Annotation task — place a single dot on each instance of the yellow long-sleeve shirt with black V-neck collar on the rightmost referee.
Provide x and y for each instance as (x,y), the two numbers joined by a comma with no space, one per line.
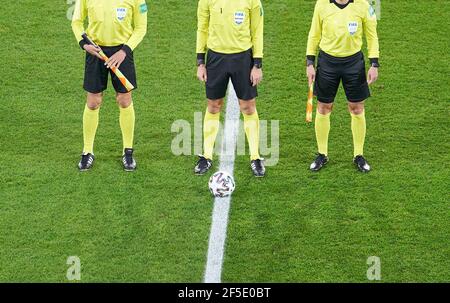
(339,31)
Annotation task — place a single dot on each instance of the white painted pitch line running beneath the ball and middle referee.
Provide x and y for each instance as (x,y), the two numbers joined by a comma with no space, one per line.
(218,234)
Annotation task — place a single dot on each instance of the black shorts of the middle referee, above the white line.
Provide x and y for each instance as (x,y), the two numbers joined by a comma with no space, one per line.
(221,67)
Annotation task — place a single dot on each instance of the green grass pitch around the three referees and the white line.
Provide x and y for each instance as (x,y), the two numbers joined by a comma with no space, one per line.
(153,225)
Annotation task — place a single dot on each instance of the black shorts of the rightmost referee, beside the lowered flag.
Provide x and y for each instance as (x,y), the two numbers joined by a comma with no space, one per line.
(330,71)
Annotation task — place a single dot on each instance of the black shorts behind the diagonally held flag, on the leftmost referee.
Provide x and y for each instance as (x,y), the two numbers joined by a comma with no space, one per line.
(96,73)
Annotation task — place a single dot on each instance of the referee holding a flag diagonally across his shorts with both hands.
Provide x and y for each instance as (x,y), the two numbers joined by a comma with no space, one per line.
(117,26)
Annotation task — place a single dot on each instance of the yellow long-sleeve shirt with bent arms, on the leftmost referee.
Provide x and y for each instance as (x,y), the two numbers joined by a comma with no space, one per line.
(111,22)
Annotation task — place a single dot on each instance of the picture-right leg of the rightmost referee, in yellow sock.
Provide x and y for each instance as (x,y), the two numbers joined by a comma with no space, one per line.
(356,110)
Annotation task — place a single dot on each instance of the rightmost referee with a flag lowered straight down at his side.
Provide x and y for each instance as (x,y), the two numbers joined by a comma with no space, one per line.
(337,29)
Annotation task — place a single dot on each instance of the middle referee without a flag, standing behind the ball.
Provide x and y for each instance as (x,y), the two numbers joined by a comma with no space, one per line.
(230,46)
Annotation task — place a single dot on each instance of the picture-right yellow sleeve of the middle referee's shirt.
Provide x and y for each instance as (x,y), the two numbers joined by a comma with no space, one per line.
(257,28)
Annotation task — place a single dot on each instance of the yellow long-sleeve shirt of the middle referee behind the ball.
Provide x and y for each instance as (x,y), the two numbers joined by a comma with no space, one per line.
(230,26)
